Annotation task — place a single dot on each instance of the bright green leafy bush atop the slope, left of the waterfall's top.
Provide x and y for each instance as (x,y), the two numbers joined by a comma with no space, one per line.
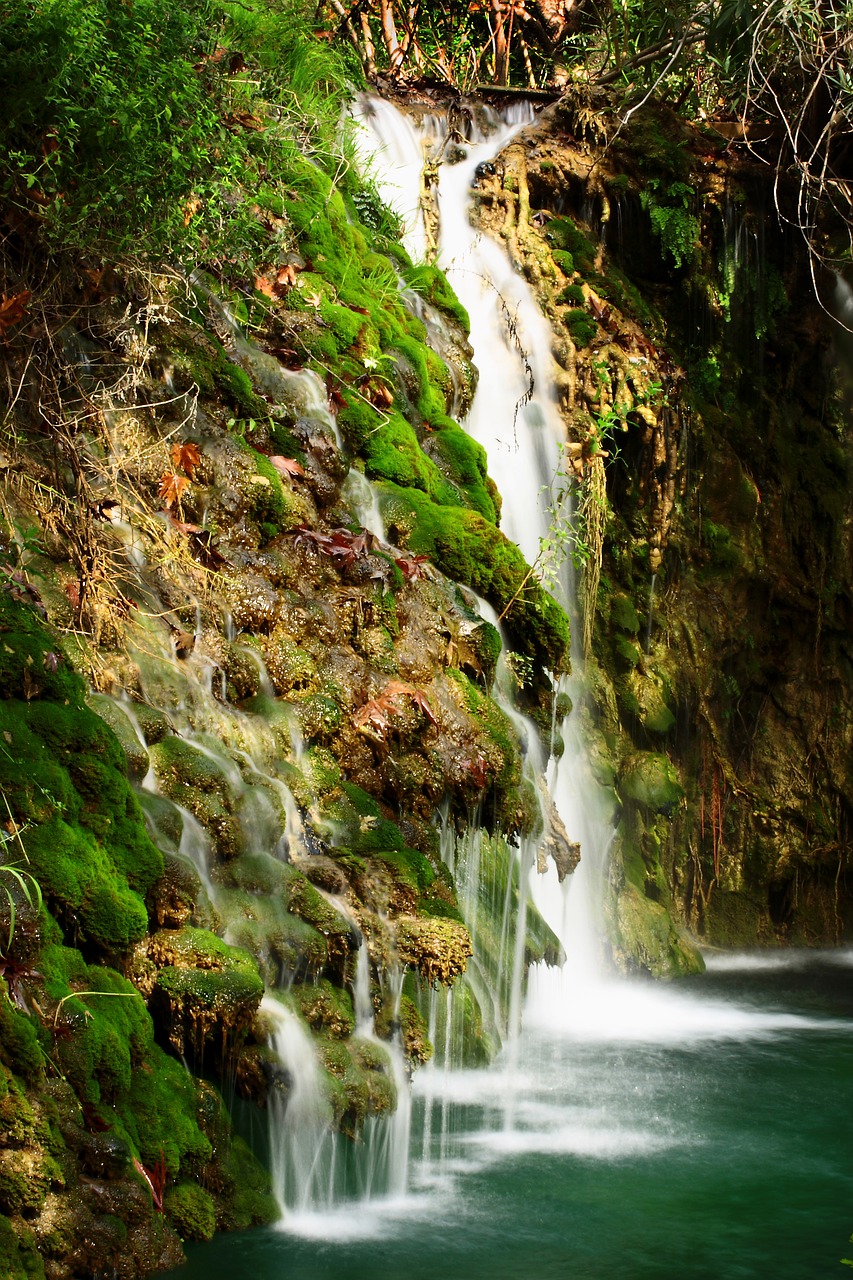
(136,130)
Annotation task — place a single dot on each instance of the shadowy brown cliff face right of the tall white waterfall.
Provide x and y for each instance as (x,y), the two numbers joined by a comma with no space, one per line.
(704,390)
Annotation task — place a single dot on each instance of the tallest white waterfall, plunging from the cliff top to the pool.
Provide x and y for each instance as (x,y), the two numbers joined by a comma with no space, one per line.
(517,418)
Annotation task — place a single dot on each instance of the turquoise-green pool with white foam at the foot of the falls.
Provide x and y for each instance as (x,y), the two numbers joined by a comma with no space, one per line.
(710,1137)
